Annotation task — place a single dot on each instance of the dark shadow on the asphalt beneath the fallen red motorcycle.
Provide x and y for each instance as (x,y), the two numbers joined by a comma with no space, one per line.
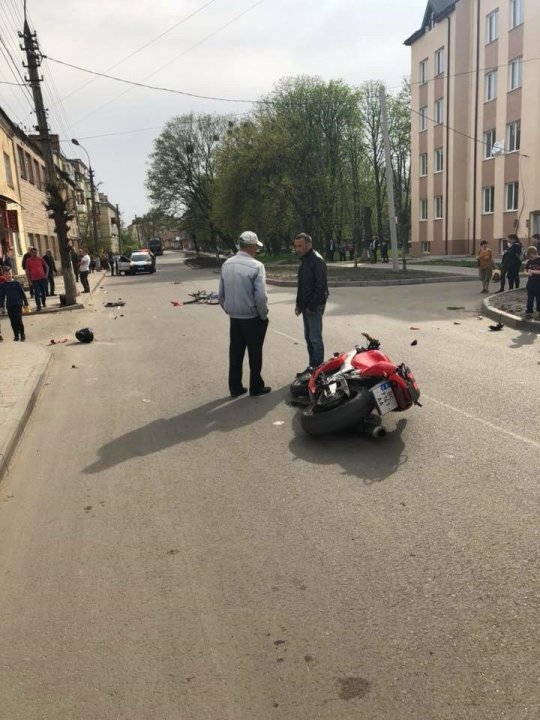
(359,455)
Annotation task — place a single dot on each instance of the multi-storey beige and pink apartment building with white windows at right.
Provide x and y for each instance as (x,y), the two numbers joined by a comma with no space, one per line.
(475,140)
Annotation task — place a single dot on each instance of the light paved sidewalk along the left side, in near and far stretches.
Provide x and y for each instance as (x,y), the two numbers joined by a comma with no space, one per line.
(24,369)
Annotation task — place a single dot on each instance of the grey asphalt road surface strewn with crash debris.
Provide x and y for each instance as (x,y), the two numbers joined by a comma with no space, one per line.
(169,554)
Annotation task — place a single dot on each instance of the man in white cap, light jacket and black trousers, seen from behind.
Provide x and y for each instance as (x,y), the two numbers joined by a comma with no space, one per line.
(242,294)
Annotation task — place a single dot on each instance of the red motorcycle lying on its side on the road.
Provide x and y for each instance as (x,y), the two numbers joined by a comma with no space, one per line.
(354,389)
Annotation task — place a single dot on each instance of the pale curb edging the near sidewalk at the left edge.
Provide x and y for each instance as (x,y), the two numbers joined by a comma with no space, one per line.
(12,429)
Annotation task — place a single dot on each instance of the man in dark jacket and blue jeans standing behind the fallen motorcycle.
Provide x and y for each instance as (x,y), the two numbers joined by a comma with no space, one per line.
(311,296)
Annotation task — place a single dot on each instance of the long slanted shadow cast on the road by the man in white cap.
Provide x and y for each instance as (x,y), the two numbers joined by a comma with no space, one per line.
(221,415)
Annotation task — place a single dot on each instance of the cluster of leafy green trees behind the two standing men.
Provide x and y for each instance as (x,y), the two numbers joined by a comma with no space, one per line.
(308,158)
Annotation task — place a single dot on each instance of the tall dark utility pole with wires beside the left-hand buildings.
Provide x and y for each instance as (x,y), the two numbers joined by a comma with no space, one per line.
(57,204)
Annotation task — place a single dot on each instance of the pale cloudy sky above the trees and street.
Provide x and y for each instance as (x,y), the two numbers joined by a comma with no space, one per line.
(237,49)
